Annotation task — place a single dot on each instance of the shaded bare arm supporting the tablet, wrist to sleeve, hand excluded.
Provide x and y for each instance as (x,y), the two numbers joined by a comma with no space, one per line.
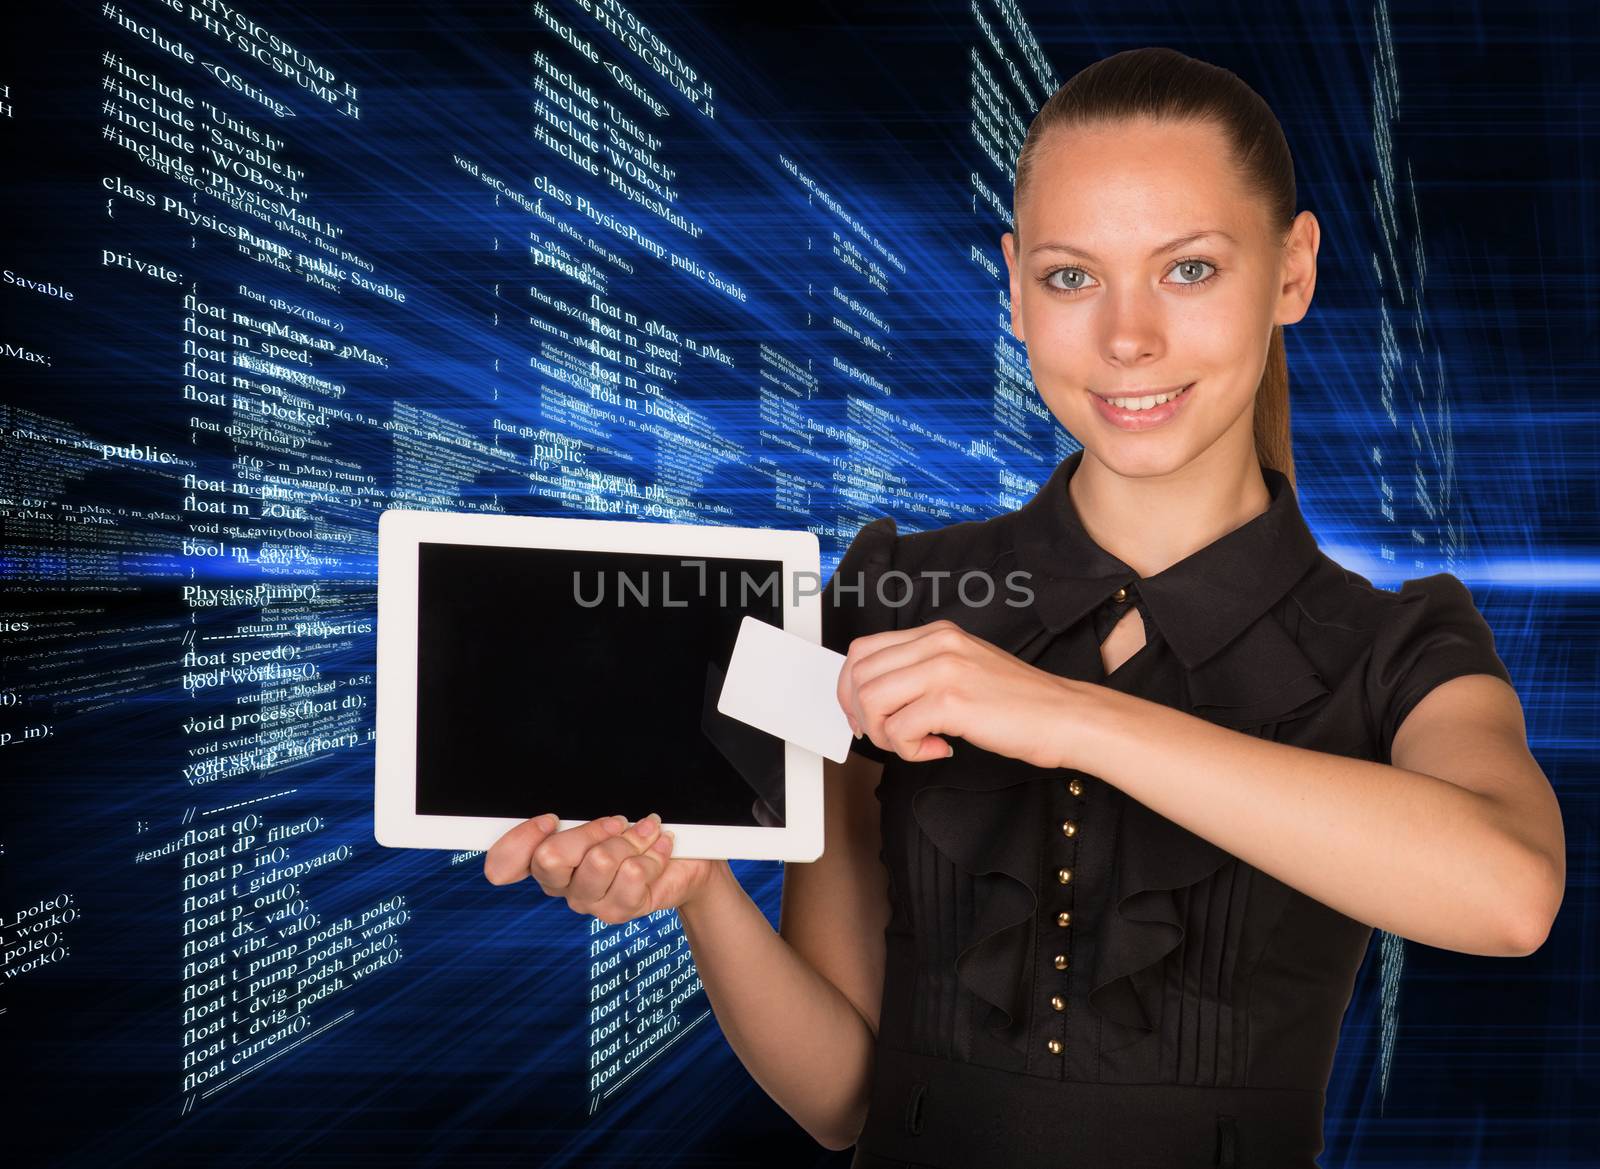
(801,1007)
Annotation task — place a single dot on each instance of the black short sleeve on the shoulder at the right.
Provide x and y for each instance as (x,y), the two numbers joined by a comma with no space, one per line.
(1431,636)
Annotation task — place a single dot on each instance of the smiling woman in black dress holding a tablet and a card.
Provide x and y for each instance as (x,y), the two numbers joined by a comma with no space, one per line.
(1121,823)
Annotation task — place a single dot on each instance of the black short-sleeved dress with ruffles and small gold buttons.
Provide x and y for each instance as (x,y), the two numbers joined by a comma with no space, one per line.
(1073,979)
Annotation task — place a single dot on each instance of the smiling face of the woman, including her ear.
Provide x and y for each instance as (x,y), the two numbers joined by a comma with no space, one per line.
(1108,309)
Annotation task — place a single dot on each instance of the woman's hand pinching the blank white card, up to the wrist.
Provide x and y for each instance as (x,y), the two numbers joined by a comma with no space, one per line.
(908,687)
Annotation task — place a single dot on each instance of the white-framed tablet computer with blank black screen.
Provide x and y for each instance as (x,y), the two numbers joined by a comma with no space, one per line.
(551,664)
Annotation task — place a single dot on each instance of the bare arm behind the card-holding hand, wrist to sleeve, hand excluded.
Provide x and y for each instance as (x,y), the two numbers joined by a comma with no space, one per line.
(1458,844)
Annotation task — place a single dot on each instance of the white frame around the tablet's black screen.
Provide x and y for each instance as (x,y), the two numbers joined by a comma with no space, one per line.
(396,821)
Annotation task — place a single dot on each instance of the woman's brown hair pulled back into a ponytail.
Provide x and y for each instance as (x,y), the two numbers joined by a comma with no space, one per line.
(1169,86)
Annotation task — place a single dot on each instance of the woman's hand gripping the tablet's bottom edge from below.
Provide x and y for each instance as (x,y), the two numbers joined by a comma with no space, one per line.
(602,868)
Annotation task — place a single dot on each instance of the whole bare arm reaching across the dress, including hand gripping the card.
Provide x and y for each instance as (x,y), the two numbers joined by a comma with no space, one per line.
(1457,844)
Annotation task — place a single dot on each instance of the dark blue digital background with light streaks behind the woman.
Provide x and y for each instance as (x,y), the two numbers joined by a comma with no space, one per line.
(1442,150)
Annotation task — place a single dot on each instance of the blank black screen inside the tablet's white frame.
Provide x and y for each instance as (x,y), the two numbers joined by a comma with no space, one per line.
(585,684)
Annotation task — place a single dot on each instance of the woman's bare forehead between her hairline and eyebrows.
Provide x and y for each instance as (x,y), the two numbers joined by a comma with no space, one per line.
(1124,188)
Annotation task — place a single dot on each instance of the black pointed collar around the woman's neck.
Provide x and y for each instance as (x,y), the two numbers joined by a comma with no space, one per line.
(1201,604)
